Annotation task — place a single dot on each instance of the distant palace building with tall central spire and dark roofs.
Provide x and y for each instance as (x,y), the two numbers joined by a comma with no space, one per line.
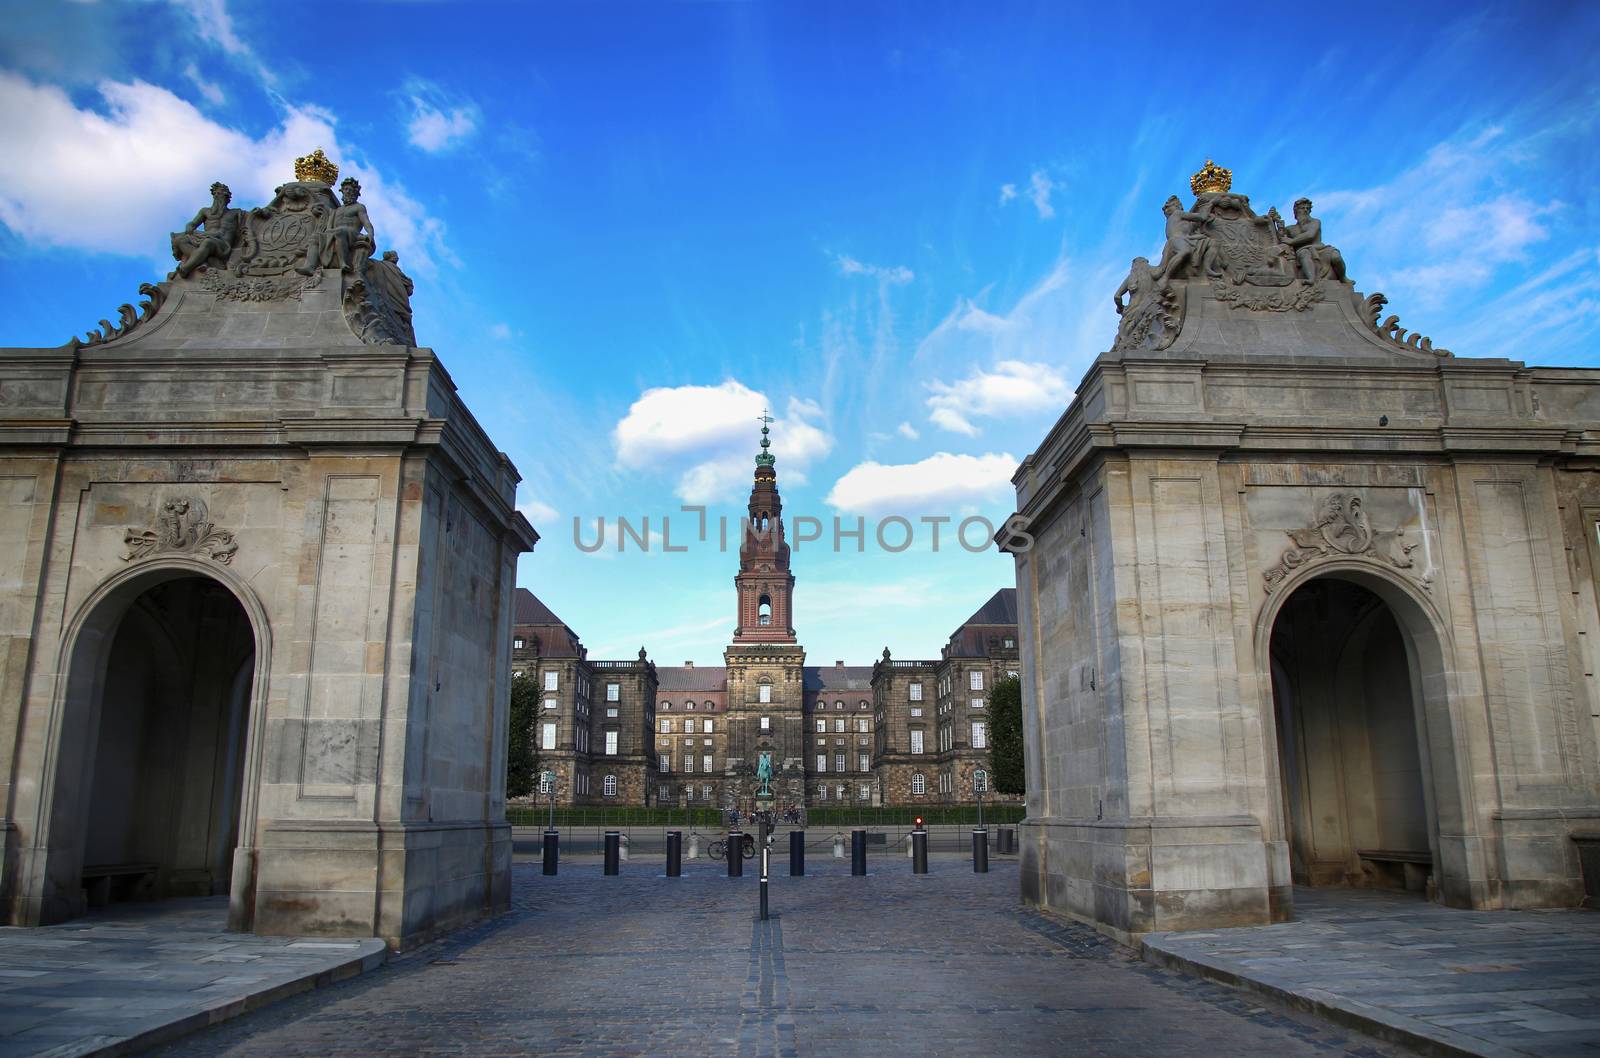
(638,734)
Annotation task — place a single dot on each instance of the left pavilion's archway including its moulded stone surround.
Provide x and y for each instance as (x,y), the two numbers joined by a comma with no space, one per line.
(154,766)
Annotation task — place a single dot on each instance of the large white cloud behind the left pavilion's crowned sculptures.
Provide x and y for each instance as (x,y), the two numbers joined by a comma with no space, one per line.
(122,180)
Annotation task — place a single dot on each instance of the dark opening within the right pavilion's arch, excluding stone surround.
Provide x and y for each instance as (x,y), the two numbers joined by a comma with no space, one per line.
(1348,707)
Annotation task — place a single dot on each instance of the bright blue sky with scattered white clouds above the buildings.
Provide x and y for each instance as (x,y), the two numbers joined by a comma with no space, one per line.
(895,225)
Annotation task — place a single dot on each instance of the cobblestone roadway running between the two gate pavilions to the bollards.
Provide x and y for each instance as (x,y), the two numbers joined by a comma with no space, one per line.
(892,964)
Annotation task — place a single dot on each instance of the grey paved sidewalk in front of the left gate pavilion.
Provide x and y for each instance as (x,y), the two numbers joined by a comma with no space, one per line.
(135,976)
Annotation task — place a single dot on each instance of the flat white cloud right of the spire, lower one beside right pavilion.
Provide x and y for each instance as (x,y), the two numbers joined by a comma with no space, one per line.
(942,483)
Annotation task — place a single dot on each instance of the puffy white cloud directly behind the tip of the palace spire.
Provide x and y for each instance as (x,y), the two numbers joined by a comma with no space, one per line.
(710,435)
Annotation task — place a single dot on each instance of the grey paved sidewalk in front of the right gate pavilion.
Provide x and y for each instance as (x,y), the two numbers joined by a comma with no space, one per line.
(1447,982)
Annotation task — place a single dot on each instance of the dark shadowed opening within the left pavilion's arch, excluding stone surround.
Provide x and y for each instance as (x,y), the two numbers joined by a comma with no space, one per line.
(170,724)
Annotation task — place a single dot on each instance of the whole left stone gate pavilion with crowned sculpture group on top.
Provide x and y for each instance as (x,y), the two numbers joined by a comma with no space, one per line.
(255,603)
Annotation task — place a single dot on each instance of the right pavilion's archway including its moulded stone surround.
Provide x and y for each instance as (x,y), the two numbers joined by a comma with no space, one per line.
(1369,788)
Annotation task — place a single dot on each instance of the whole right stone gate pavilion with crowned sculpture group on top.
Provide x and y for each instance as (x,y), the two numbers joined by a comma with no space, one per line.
(1305,601)
